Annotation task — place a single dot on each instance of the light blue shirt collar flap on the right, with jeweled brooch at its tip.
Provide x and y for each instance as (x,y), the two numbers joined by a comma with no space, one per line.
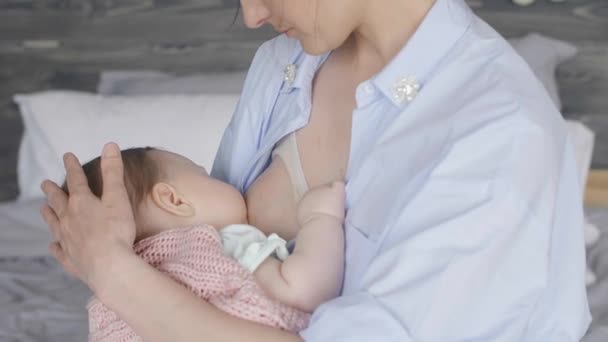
(442,27)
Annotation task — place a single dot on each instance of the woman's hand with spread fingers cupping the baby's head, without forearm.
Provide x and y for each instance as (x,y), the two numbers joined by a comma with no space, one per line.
(91,234)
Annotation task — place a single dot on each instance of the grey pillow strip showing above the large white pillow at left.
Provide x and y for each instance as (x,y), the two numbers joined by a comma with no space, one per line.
(156,83)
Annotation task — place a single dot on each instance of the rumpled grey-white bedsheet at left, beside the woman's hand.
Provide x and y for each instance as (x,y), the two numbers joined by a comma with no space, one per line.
(38,301)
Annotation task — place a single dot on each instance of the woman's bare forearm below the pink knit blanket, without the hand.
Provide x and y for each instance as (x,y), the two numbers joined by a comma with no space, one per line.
(159,309)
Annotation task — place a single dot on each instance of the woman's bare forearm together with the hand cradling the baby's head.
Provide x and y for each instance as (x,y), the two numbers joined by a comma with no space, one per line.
(94,239)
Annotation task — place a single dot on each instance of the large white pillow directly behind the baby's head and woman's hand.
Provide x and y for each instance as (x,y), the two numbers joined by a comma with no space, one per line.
(60,121)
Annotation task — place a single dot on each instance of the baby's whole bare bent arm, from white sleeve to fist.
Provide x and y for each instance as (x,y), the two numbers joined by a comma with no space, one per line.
(312,274)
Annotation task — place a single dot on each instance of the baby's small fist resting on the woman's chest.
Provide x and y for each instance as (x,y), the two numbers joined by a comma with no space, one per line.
(326,200)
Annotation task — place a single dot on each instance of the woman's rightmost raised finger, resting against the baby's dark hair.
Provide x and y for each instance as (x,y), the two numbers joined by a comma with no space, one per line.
(113,175)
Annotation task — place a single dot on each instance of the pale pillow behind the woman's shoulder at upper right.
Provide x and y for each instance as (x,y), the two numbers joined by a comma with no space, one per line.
(543,55)
